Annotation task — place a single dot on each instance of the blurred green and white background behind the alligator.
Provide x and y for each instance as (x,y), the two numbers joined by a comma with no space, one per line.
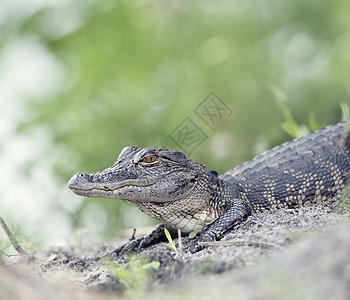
(82,79)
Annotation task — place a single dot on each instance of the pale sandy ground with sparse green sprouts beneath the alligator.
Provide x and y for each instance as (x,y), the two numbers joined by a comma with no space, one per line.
(299,253)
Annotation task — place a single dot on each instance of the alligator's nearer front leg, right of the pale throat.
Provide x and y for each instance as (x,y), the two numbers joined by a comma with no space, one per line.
(237,212)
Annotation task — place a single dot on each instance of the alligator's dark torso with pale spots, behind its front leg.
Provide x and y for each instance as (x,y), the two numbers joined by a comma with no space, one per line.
(307,169)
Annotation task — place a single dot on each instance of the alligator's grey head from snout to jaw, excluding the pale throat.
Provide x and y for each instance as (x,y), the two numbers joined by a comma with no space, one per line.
(143,174)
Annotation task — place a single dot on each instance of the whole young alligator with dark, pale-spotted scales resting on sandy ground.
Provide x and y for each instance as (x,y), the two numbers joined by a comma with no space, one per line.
(169,186)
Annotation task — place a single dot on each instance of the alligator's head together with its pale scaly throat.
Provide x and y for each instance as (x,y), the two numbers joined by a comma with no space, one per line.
(164,184)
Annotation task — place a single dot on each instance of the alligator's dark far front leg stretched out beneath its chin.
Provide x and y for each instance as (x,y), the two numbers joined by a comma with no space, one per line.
(155,236)
